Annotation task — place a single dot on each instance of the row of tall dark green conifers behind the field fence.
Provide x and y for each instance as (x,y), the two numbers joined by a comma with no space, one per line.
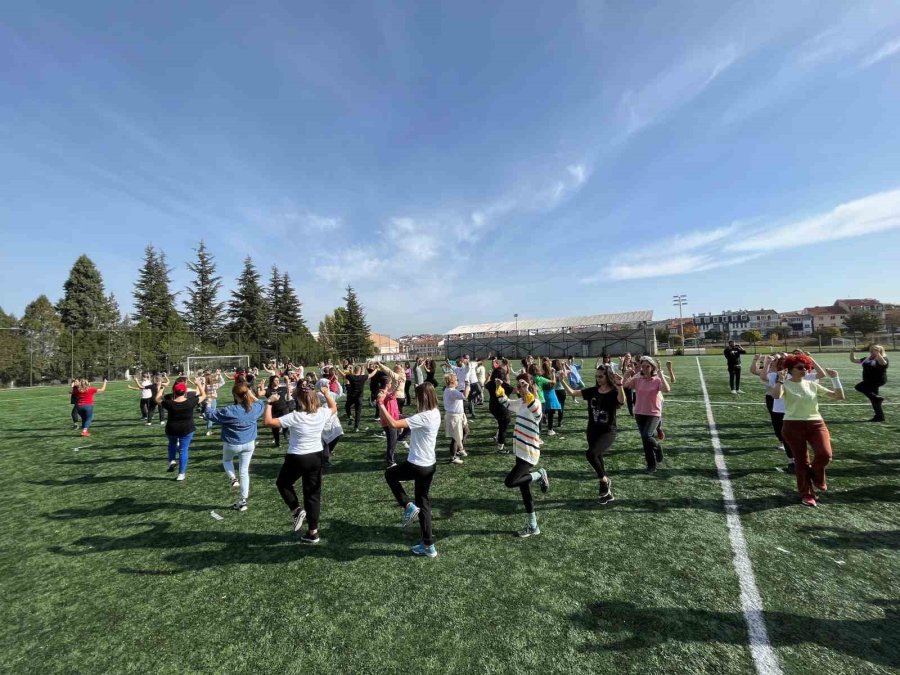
(85,332)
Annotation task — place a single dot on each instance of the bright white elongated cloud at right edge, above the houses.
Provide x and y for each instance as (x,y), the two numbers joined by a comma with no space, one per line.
(875,213)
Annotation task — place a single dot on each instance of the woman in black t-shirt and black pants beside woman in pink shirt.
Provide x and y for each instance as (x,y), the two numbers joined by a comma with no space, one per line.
(603,401)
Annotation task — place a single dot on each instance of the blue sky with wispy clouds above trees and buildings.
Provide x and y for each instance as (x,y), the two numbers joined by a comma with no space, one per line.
(459,162)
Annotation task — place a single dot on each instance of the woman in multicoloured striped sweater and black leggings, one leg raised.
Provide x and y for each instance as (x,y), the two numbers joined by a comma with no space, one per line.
(526,447)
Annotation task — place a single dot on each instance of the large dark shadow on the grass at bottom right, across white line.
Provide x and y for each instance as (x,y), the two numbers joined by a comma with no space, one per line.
(624,626)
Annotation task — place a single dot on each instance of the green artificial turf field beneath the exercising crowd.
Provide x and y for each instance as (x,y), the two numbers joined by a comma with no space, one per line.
(112,566)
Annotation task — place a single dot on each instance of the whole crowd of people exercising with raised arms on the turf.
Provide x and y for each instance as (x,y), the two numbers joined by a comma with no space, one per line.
(300,405)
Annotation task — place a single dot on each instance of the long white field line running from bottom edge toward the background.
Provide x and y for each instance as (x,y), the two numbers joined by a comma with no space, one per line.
(764,657)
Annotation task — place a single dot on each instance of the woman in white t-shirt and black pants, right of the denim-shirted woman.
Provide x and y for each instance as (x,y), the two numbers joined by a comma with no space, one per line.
(304,456)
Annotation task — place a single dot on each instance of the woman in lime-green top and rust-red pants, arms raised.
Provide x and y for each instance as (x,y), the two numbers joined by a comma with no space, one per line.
(803,424)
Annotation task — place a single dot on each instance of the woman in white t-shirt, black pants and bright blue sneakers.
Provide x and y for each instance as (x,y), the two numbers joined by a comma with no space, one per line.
(419,465)
